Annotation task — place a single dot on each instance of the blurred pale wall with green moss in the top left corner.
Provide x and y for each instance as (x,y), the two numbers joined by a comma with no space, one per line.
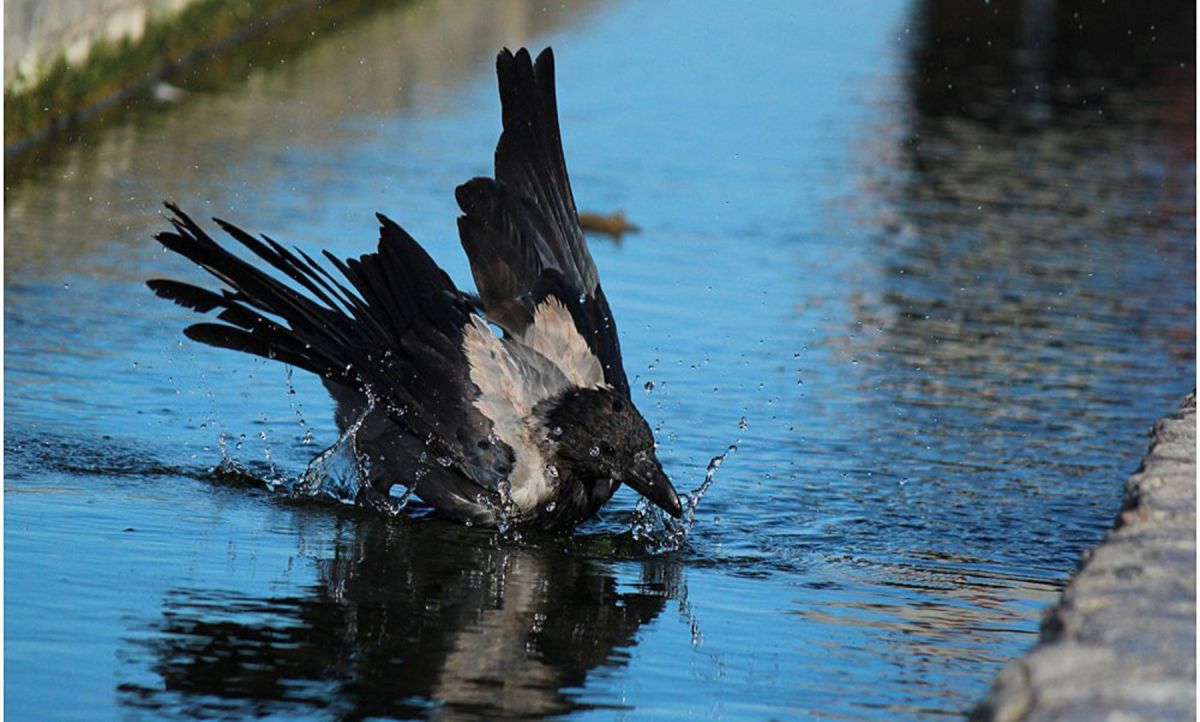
(65,61)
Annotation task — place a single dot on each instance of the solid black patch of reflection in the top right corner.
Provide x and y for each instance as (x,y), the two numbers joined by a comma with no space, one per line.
(1023,65)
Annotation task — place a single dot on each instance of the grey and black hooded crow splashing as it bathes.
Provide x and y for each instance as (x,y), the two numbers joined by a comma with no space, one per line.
(532,424)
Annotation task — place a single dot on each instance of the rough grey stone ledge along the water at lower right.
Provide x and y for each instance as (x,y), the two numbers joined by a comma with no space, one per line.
(1120,646)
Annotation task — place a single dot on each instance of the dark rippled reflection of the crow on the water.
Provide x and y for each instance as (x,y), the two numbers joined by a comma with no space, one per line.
(409,621)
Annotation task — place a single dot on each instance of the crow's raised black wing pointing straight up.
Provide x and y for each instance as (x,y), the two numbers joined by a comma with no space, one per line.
(521,231)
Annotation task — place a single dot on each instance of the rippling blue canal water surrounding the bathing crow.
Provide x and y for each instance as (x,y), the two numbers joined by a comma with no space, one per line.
(935,297)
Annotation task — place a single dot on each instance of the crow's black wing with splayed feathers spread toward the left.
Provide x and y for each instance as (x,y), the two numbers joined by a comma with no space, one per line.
(392,328)
